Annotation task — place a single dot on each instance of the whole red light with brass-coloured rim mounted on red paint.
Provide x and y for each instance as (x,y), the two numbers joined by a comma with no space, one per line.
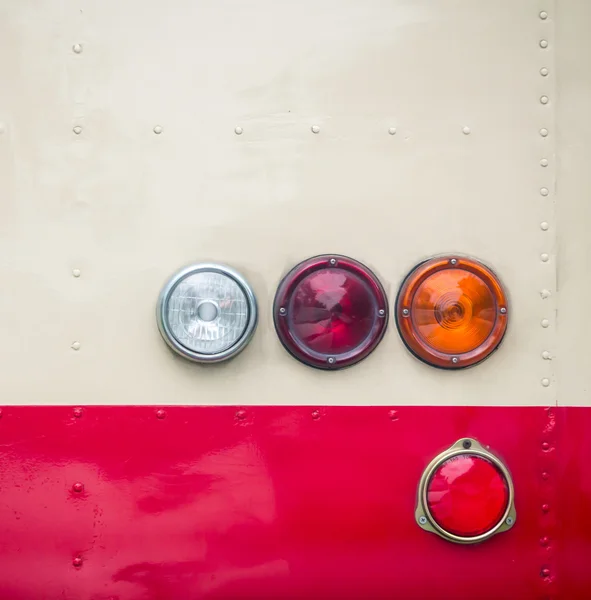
(466,494)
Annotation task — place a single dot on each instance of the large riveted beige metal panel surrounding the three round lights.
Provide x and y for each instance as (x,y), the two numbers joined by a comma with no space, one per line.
(128,206)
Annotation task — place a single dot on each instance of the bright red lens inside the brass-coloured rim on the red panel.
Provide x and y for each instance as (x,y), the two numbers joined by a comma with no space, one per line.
(467,495)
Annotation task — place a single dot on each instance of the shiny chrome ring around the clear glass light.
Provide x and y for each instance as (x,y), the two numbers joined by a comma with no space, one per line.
(164,326)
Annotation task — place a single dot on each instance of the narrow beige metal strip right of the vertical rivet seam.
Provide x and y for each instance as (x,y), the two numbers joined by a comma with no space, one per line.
(573,56)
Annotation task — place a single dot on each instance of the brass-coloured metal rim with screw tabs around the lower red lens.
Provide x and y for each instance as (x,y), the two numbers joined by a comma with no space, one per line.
(423,515)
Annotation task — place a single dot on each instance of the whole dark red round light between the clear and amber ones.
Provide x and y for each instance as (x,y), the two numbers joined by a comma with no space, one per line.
(330,312)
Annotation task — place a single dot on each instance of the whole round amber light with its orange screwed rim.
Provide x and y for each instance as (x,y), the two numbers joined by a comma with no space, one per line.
(451,312)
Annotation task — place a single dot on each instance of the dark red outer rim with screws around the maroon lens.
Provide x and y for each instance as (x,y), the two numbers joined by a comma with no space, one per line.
(285,290)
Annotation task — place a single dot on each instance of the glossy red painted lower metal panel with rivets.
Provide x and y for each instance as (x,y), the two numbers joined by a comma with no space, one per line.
(281,502)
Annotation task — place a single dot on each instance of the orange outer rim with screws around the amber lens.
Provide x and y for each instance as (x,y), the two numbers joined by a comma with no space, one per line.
(410,337)
